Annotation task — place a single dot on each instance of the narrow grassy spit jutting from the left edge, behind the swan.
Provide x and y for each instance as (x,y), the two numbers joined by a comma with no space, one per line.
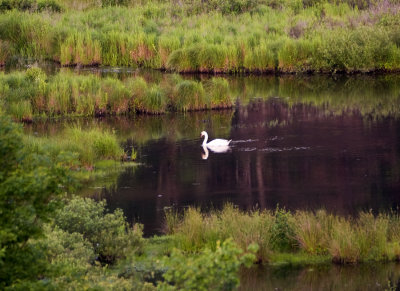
(33,93)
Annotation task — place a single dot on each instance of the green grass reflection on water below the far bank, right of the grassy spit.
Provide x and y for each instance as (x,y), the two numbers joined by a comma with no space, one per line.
(375,96)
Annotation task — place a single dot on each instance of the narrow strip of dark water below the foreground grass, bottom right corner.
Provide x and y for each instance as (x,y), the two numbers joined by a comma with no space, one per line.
(329,277)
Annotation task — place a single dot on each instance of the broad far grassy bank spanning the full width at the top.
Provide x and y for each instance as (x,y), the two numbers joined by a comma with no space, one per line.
(216,36)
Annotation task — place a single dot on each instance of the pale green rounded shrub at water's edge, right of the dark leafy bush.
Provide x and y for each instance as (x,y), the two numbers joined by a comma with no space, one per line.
(110,235)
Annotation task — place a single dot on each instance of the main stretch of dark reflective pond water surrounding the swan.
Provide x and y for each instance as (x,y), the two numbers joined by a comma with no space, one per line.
(298,141)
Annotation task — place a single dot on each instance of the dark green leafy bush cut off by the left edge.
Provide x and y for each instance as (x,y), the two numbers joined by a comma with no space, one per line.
(29,186)
